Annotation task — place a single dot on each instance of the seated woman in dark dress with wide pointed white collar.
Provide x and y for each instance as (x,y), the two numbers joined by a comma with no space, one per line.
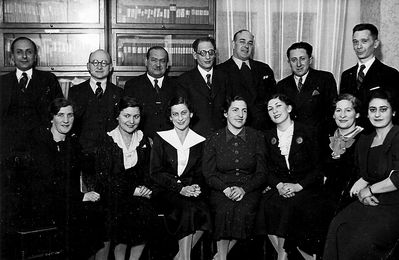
(176,158)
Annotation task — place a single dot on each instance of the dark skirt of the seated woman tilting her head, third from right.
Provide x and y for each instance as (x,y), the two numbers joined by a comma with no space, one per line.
(302,219)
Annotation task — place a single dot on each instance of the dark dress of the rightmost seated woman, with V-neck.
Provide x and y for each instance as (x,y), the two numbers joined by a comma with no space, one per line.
(369,232)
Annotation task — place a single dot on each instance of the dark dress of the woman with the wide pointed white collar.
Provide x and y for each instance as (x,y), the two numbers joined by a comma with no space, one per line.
(184,215)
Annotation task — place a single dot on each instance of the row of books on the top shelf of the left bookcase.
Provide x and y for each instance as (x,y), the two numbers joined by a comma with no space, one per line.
(51,11)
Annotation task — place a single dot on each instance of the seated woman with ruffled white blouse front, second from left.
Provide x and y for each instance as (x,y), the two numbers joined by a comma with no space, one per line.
(124,158)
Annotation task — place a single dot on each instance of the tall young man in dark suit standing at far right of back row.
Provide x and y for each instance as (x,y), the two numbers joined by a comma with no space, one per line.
(370,73)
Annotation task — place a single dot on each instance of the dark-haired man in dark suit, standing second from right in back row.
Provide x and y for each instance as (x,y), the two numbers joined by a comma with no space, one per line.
(312,91)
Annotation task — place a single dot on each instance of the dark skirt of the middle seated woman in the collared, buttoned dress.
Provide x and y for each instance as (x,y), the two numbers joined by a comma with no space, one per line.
(234,219)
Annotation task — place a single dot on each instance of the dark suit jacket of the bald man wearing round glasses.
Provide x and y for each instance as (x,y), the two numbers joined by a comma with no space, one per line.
(93,117)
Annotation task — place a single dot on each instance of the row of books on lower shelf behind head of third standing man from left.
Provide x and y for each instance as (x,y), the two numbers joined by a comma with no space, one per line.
(130,54)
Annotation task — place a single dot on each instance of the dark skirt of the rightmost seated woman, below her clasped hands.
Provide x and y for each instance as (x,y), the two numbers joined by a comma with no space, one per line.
(362,232)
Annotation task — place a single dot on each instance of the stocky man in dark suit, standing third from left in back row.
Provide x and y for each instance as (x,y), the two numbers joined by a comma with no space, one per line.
(153,90)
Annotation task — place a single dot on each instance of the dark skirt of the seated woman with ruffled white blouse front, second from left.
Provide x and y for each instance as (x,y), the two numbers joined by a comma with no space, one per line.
(133,221)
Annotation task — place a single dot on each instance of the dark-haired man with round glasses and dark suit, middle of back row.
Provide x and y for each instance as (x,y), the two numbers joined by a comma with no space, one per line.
(206,87)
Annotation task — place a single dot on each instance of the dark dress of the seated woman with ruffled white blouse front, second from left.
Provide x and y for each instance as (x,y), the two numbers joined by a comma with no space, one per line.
(132,218)
